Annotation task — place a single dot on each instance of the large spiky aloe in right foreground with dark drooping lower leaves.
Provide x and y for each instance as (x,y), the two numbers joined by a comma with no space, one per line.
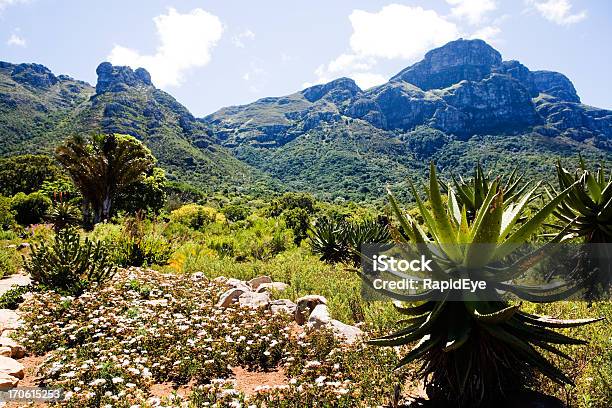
(472,352)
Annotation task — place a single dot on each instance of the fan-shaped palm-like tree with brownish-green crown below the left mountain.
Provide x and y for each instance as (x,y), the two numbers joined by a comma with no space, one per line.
(102,166)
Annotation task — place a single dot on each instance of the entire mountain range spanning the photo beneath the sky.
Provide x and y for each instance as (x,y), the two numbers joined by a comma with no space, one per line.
(461,103)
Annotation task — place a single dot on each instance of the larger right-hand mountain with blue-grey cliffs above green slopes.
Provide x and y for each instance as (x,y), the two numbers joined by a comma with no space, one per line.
(460,104)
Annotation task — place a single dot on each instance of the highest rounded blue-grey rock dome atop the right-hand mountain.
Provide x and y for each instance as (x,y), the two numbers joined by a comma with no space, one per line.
(454,62)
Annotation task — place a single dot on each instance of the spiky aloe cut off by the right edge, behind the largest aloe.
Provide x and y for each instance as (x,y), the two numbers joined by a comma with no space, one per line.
(588,204)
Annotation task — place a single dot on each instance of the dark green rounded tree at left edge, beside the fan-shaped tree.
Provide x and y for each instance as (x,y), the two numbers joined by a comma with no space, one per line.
(26,173)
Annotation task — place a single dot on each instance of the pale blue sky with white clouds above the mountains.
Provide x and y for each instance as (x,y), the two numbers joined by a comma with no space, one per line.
(210,54)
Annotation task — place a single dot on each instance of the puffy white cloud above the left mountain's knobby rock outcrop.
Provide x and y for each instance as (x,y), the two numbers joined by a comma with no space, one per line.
(186,41)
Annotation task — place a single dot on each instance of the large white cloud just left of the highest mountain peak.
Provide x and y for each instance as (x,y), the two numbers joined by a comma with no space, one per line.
(396,31)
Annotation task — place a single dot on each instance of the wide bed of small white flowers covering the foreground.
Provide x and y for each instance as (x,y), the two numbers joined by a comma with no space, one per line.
(109,346)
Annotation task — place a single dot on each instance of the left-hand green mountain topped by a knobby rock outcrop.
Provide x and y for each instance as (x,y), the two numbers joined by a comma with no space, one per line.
(124,101)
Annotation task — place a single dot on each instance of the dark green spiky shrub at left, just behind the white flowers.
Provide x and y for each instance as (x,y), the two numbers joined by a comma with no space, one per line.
(68,265)
